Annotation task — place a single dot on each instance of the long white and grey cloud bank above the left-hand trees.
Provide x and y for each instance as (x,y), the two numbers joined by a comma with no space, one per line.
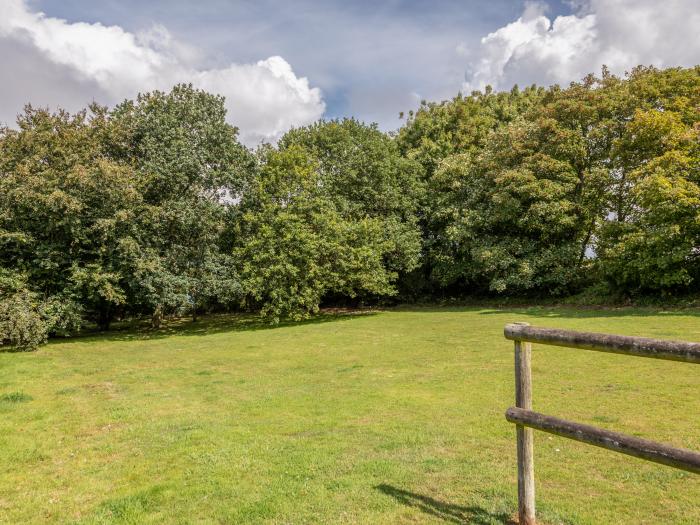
(49,61)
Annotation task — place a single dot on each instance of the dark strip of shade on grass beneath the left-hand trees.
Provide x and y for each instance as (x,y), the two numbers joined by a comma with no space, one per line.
(207,325)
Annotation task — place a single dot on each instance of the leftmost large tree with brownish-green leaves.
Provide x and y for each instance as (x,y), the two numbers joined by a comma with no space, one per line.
(67,210)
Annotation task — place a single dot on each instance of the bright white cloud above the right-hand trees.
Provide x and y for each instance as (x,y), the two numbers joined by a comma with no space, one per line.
(618,33)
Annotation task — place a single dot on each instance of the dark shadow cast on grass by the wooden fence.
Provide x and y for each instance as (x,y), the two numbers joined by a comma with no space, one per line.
(448,512)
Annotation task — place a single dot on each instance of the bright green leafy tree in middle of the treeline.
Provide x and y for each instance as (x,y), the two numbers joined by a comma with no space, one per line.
(295,246)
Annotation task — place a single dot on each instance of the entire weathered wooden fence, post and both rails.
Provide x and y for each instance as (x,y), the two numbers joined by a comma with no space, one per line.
(526,420)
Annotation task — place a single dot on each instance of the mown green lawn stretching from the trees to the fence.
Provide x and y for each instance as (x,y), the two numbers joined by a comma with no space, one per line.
(390,417)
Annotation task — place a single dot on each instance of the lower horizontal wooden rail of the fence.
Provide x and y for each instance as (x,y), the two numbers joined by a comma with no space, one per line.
(630,445)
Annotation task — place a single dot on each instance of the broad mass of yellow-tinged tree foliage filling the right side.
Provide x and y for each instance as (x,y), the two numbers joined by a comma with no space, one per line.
(598,176)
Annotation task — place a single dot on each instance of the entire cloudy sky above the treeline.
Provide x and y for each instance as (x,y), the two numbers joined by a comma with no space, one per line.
(282,63)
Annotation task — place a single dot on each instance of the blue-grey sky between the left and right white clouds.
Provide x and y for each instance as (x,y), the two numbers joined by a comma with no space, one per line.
(353,51)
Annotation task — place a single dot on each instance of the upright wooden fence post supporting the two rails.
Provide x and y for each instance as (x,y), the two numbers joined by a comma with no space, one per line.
(526,467)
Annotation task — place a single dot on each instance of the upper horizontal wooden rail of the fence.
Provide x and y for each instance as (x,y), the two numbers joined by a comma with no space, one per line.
(617,344)
